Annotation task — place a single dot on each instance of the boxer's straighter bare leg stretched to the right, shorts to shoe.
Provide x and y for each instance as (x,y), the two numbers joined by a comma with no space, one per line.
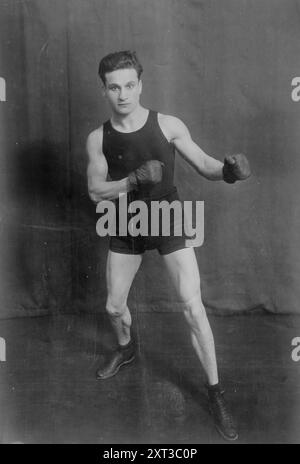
(184,271)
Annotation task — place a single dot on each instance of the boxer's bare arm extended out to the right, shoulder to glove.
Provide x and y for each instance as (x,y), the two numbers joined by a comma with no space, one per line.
(178,134)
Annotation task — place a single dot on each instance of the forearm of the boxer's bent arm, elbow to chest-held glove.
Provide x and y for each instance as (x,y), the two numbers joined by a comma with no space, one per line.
(107,190)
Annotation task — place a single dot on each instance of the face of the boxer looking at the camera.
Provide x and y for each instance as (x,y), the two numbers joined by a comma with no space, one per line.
(122,90)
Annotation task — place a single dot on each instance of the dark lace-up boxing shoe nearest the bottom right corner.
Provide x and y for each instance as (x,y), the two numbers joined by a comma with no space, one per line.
(222,417)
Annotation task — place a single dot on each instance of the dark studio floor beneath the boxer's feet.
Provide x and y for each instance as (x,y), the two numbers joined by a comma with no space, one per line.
(48,391)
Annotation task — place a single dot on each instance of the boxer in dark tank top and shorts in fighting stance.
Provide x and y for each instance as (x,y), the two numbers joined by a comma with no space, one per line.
(133,154)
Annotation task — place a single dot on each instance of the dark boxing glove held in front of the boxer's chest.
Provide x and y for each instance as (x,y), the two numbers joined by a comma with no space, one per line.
(149,173)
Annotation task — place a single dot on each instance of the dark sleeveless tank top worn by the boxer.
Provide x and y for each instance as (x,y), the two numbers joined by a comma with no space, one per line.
(125,152)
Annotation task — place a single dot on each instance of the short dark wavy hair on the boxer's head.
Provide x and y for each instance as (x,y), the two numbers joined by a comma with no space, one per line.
(119,60)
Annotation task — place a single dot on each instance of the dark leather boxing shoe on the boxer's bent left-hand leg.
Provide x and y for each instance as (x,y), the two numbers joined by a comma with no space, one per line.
(120,357)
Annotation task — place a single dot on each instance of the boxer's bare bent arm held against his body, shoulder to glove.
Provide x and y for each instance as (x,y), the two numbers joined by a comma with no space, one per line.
(98,186)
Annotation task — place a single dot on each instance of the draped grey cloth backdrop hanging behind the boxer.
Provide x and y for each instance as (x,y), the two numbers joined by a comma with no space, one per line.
(225,68)
